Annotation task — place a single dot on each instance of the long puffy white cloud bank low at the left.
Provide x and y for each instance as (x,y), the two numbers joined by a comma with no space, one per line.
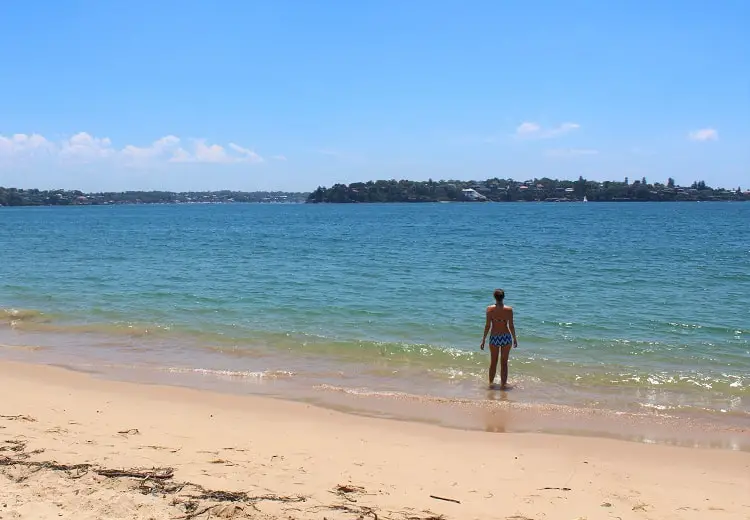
(86,148)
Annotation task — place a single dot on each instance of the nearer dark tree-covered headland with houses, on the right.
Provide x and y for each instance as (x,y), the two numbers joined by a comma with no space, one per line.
(508,190)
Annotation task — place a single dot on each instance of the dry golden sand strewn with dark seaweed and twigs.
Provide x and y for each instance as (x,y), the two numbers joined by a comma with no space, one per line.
(290,460)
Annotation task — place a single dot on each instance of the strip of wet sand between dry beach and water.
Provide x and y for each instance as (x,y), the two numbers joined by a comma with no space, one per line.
(491,410)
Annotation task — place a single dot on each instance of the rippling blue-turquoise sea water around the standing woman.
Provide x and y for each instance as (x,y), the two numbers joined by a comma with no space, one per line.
(635,307)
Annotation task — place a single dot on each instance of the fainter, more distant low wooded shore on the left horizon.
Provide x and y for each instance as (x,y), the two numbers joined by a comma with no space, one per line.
(18,197)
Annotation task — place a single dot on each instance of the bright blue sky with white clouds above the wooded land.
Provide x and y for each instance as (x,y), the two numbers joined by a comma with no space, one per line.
(110,95)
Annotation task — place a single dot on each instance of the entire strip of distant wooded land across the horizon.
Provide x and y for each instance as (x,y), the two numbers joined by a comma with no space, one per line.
(490,190)
